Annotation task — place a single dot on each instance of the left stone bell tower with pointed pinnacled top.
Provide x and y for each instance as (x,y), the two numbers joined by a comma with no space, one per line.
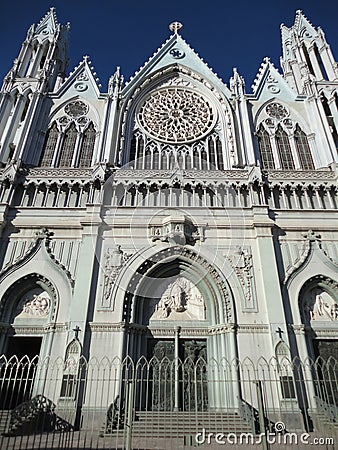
(42,60)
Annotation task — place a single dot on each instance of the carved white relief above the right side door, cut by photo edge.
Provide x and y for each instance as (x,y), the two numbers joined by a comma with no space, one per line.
(319,306)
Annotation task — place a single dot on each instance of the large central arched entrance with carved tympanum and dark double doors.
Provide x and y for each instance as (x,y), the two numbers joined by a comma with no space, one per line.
(179,314)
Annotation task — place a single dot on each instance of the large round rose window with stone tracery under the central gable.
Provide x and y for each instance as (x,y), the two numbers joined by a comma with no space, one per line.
(176,115)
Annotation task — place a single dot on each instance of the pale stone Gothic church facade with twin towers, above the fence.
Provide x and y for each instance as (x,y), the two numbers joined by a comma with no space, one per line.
(172,207)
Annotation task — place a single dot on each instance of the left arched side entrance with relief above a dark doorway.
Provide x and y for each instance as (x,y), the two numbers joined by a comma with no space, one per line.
(25,310)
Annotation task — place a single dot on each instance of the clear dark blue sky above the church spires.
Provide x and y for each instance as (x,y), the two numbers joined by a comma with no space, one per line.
(125,33)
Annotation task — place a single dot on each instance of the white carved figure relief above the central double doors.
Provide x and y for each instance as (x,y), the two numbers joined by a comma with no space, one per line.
(181,300)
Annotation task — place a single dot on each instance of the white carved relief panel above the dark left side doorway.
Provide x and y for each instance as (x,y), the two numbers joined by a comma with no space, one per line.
(36,303)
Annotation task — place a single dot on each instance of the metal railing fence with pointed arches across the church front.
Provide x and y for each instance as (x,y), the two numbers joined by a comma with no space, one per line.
(166,404)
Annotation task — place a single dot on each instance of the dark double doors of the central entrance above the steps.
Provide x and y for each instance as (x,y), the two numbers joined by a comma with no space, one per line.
(178,384)
